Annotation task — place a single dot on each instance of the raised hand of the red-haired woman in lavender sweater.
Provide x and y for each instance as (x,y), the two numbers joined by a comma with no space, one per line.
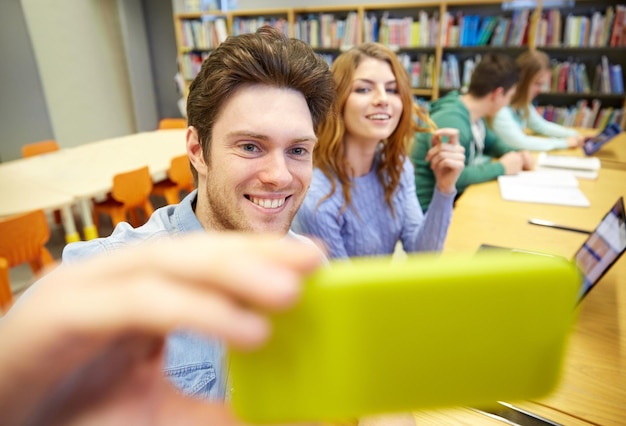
(447,159)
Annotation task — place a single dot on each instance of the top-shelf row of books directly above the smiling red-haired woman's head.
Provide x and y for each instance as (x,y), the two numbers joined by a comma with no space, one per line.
(402,32)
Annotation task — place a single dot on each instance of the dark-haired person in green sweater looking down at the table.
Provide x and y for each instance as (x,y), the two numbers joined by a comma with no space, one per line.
(491,87)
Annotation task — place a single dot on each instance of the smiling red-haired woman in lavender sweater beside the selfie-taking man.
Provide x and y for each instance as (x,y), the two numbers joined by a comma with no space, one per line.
(362,199)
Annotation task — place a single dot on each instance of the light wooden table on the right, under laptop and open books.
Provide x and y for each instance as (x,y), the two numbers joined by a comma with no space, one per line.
(593,388)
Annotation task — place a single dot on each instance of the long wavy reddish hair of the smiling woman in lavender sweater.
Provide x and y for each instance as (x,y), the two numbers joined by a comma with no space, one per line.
(329,154)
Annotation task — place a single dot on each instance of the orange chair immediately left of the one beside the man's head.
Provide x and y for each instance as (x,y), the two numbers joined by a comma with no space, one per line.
(130,193)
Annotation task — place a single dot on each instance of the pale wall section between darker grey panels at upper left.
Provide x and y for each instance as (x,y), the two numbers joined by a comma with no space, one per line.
(80,56)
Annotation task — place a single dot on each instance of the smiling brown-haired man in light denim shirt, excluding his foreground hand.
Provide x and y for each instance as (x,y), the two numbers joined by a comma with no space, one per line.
(253,112)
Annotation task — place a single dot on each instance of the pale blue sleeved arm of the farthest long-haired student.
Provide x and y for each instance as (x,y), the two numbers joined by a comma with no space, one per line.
(507,128)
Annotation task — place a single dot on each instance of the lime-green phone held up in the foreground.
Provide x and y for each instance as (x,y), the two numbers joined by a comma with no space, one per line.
(372,336)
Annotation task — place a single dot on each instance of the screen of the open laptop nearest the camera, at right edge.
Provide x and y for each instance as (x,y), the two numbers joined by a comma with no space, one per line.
(603,247)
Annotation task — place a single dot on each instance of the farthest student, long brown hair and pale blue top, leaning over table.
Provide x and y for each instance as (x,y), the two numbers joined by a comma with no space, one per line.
(512,121)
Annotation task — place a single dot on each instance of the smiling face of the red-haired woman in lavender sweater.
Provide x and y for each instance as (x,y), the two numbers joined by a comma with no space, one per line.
(374,107)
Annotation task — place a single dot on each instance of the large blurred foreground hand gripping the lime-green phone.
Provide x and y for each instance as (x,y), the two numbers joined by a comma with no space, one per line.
(85,344)
